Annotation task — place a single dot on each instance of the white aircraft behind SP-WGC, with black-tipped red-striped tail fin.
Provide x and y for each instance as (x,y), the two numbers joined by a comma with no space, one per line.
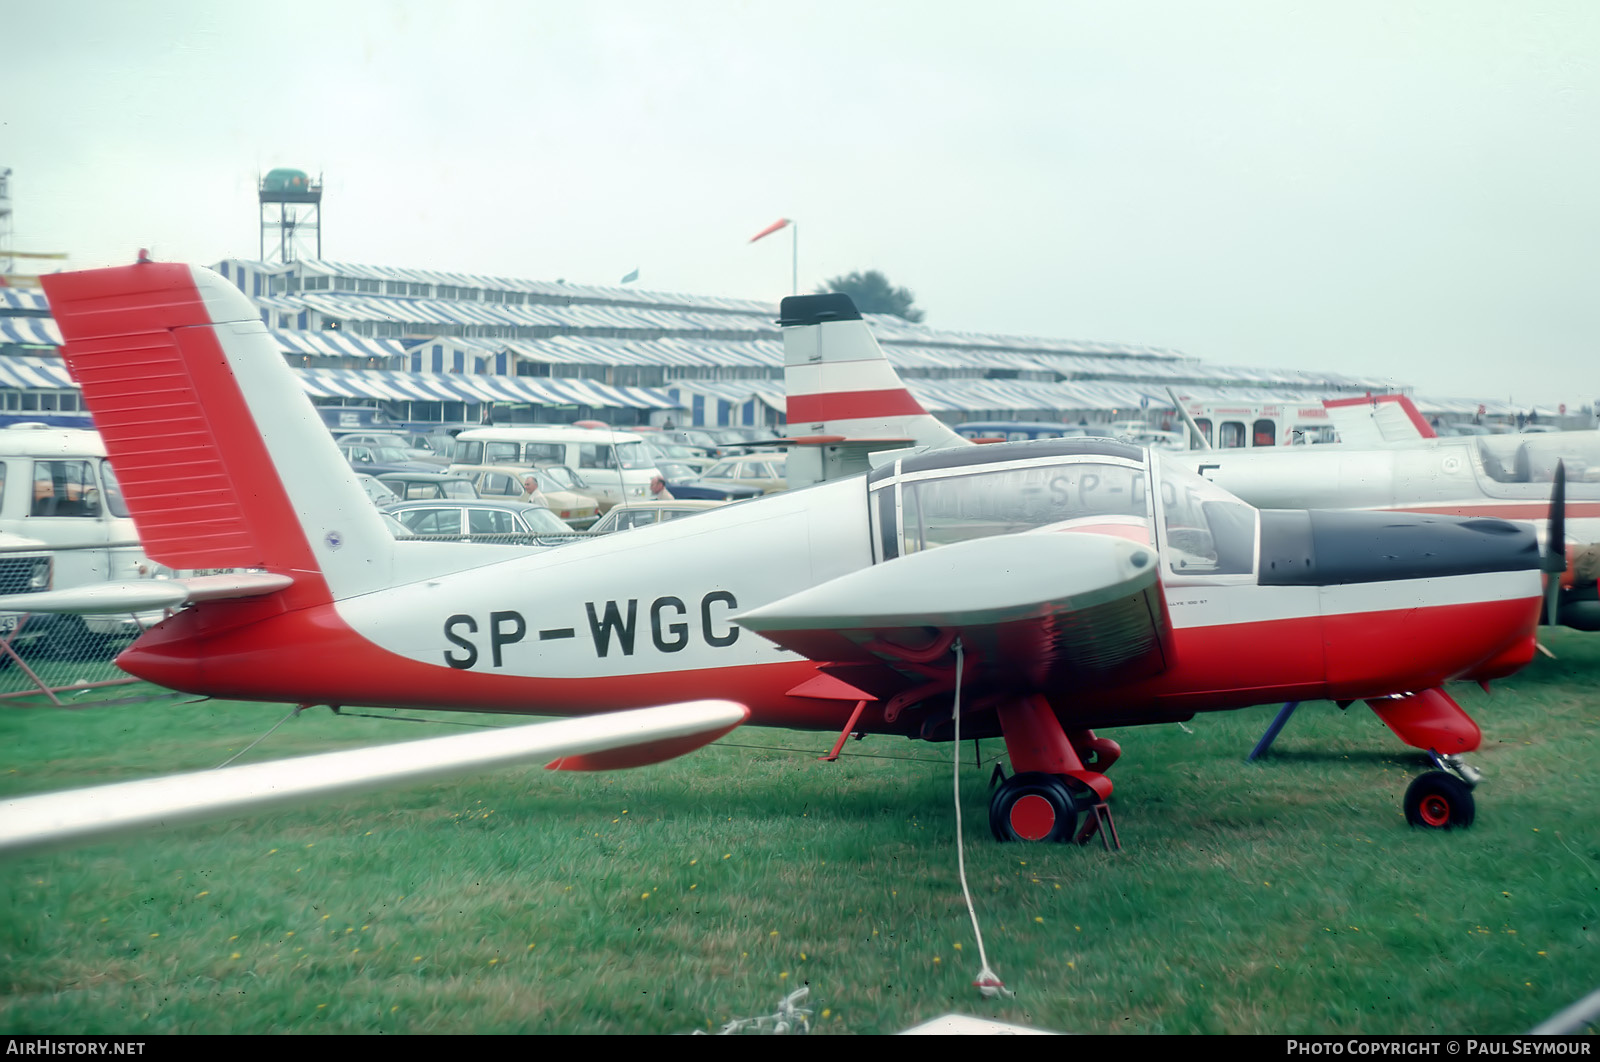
(847,402)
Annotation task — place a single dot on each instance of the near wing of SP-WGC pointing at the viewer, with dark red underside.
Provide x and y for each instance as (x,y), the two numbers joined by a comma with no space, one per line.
(1038,612)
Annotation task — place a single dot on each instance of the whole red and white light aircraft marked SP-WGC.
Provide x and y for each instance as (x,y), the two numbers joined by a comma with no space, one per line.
(1038,589)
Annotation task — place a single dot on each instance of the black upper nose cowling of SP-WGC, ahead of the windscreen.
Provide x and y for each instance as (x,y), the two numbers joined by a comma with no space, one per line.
(1334,548)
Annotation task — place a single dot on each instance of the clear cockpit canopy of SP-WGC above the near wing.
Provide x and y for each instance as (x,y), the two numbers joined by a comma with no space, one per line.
(1062,487)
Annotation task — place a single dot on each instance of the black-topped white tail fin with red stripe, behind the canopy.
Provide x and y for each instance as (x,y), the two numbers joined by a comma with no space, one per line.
(841,385)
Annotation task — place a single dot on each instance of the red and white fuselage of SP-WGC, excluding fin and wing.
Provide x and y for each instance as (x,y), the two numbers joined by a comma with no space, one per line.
(647,617)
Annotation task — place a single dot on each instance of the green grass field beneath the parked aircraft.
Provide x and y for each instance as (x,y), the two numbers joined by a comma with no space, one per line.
(1286,896)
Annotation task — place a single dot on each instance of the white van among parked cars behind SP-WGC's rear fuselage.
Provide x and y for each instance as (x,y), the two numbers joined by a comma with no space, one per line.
(615,465)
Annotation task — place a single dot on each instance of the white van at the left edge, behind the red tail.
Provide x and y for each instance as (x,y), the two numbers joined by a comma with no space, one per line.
(58,490)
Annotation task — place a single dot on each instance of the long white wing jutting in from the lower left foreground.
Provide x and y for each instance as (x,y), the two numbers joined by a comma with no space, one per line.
(87,815)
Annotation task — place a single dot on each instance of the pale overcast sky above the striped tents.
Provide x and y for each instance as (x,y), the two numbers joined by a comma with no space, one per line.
(1407,191)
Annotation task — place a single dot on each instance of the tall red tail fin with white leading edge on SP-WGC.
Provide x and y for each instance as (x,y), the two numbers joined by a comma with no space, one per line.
(222,458)
